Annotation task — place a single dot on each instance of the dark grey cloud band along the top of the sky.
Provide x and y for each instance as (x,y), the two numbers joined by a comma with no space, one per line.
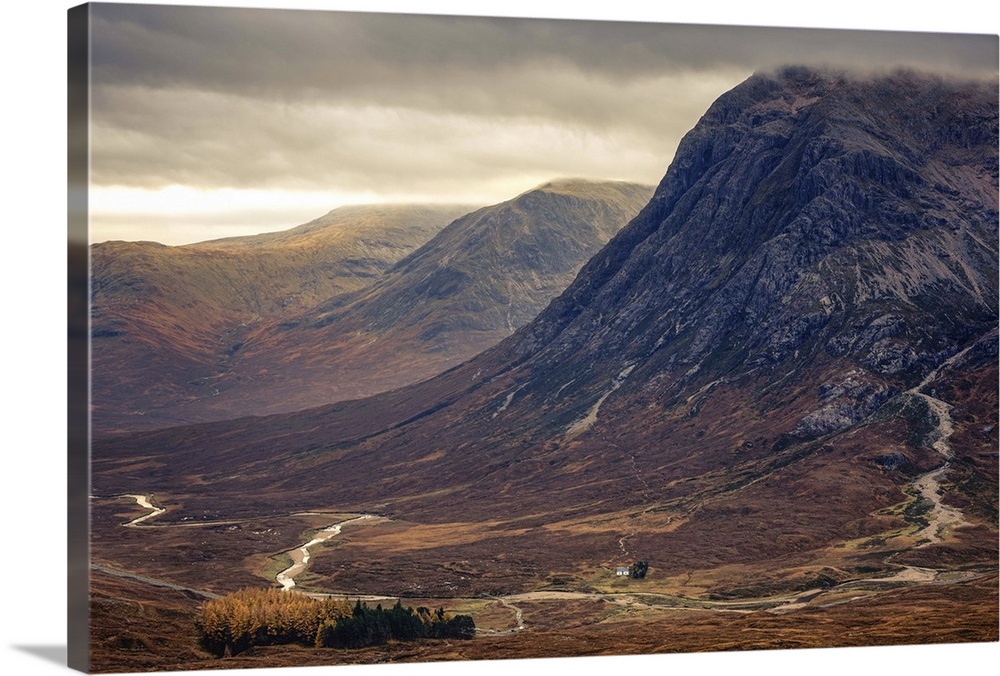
(292,53)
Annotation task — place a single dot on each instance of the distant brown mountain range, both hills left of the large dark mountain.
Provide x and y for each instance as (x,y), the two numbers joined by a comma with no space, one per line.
(460,290)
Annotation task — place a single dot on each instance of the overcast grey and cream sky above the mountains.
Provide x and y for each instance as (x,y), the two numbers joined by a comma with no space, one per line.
(209,122)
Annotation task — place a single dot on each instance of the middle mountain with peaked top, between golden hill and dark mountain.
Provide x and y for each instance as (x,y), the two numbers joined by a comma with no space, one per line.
(485,275)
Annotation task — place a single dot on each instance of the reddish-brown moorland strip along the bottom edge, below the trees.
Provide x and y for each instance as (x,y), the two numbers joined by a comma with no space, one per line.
(907,616)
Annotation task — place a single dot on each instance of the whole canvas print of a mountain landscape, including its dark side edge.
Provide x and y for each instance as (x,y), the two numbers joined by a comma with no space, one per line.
(412,338)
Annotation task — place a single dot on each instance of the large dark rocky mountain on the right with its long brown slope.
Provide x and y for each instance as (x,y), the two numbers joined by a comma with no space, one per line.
(787,359)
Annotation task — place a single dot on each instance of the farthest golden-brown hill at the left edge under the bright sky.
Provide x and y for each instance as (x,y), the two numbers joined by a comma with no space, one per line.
(164,316)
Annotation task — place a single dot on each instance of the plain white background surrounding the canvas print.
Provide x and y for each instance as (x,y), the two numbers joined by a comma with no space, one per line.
(34,309)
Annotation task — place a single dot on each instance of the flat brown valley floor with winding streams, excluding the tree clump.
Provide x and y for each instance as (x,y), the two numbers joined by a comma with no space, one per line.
(144,605)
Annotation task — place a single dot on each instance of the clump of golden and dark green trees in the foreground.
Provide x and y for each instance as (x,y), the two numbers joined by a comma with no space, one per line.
(258,617)
